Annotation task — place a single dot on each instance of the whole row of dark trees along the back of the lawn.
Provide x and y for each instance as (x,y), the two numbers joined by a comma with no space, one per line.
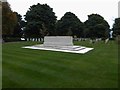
(40,21)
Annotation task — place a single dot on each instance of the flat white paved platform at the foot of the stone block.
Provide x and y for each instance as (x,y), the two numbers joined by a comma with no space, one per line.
(70,49)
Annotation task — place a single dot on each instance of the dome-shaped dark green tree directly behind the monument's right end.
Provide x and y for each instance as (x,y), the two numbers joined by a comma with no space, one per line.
(69,25)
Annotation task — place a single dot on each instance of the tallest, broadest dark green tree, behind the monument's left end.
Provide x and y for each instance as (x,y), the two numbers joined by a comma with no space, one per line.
(40,21)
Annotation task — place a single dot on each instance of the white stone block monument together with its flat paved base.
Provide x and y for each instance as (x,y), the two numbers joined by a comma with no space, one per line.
(60,43)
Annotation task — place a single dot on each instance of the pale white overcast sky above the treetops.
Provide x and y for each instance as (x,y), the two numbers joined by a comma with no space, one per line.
(81,8)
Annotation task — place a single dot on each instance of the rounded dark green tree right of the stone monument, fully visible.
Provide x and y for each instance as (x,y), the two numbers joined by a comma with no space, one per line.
(97,27)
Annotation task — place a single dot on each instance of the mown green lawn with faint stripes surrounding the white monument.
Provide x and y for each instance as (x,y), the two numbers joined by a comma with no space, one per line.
(26,68)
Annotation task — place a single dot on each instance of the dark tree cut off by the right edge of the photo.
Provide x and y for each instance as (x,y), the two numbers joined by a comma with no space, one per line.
(116,27)
